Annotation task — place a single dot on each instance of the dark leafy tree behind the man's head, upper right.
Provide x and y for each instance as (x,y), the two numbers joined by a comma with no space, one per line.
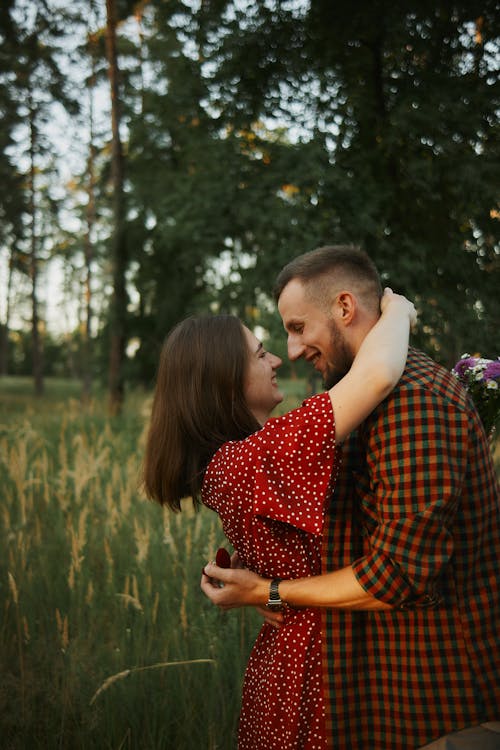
(402,102)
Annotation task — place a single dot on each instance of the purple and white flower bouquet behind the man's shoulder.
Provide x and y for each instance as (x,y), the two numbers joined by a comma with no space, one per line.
(481,378)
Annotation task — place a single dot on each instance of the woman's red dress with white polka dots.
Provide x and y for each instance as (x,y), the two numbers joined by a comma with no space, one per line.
(270,492)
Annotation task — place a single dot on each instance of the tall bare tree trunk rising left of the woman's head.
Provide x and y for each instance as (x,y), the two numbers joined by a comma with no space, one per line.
(119,250)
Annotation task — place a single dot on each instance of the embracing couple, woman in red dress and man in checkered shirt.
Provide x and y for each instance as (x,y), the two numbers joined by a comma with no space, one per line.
(366,520)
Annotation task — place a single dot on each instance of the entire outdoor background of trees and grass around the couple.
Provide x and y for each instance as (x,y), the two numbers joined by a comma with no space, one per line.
(160,158)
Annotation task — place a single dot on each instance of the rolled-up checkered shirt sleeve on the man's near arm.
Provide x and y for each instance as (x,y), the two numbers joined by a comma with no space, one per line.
(416,453)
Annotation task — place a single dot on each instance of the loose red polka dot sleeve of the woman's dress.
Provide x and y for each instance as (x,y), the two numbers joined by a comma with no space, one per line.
(285,469)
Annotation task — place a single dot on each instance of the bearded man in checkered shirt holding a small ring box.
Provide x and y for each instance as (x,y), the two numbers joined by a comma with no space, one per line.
(412,606)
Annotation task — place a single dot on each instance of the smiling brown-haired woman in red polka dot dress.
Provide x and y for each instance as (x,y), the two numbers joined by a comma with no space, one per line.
(269,484)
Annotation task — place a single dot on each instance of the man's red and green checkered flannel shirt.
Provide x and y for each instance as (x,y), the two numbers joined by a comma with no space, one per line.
(416,507)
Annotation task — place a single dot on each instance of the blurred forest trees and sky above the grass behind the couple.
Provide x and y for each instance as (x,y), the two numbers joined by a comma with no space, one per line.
(160,158)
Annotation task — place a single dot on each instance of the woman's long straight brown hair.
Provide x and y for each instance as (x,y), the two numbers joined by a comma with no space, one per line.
(198,405)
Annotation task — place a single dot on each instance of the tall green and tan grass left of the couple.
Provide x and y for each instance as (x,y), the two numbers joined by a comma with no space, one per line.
(106,640)
